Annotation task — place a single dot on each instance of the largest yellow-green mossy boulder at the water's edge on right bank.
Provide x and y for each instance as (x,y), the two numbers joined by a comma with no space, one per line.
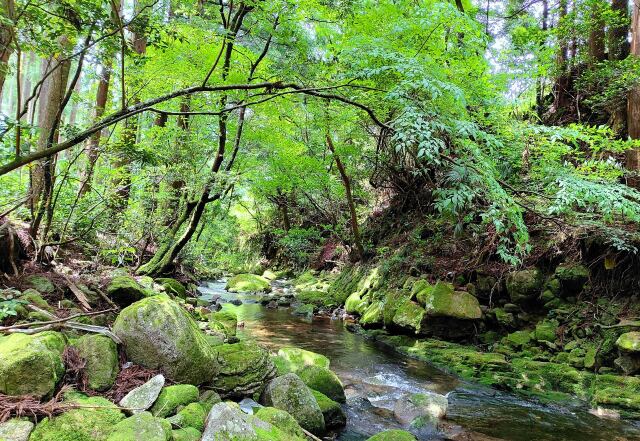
(443,301)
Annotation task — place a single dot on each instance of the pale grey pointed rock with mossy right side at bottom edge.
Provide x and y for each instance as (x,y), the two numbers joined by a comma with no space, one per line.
(226,422)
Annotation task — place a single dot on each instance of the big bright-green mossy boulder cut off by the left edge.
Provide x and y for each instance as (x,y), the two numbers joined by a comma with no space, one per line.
(31,364)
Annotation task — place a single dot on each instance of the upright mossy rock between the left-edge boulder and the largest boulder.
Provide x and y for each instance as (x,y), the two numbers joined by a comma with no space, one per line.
(102,364)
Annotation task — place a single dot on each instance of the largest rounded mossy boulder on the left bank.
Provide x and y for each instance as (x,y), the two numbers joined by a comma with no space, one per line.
(158,334)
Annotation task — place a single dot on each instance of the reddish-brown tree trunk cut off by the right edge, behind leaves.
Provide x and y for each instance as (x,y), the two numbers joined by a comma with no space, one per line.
(633,106)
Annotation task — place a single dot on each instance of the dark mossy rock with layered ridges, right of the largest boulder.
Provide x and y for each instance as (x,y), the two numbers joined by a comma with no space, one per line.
(245,368)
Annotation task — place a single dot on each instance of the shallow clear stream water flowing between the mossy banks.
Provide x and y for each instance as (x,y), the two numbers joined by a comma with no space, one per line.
(375,377)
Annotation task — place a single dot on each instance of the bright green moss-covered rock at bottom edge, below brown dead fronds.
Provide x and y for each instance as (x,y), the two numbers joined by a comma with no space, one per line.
(93,420)
